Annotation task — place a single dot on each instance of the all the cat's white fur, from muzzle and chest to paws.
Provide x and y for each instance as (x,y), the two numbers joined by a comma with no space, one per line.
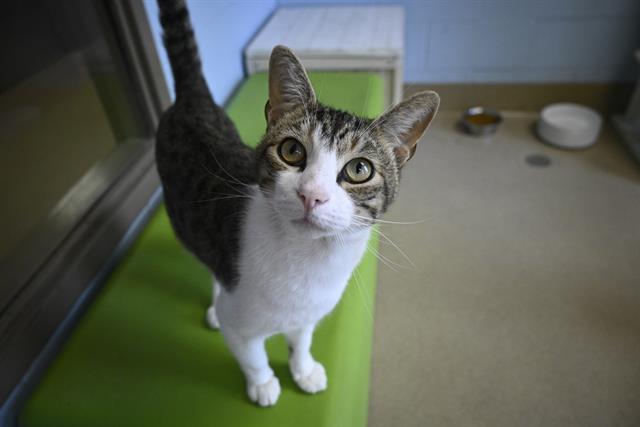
(292,273)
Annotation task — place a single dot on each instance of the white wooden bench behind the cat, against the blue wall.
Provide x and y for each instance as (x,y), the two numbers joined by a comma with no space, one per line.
(368,38)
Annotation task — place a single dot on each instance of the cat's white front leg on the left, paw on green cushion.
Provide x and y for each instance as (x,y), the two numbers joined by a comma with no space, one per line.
(263,386)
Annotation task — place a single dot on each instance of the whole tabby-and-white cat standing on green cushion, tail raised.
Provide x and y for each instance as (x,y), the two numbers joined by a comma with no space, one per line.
(283,226)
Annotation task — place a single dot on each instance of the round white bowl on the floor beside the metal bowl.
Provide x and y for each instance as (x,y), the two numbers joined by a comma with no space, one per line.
(569,125)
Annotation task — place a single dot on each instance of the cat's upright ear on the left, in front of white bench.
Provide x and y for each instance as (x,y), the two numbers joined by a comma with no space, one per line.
(289,86)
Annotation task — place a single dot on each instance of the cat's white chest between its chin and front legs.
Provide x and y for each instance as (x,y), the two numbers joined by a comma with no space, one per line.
(286,282)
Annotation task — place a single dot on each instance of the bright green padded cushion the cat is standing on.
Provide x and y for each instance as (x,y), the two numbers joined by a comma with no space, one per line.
(142,356)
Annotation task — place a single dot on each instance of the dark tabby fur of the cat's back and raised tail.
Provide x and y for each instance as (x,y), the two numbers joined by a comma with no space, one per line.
(204,167)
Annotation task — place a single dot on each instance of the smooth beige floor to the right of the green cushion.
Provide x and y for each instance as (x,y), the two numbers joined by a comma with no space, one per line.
(524,305)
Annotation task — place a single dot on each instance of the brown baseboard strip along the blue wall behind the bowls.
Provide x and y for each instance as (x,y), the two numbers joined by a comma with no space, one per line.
(606,98)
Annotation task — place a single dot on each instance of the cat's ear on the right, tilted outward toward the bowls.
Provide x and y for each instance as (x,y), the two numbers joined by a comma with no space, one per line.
(406,123)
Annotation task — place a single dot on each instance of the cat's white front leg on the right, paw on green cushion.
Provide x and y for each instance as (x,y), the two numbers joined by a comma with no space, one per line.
(307,373)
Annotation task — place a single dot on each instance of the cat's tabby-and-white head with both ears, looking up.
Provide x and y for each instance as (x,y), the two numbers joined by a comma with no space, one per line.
(325,171)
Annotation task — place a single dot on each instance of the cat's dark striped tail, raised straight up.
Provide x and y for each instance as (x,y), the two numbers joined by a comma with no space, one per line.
(180,44)
